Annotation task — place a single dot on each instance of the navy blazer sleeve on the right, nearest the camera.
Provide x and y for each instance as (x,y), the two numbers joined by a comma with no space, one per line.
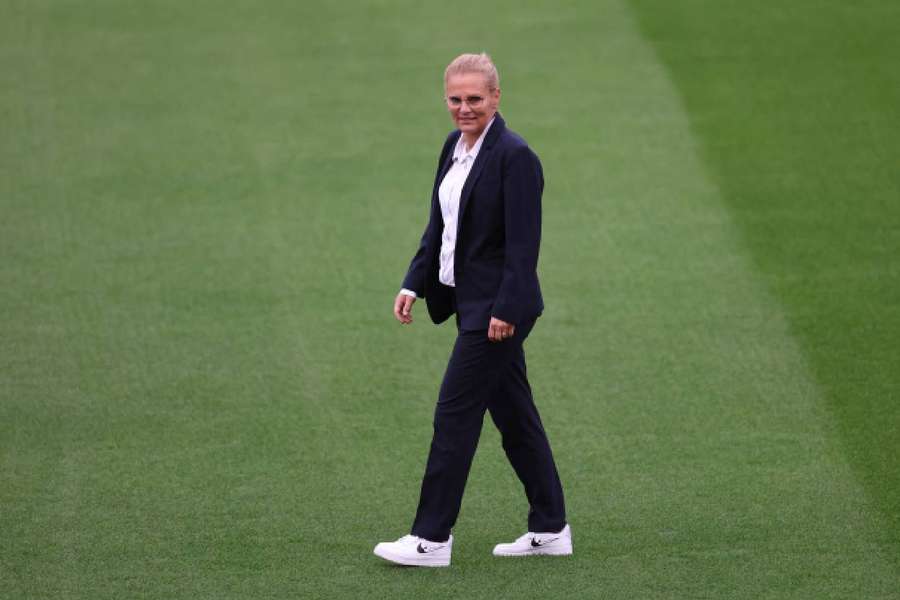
(523,184)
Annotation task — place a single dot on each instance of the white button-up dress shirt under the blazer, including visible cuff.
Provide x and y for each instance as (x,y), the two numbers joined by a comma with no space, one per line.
(449,195)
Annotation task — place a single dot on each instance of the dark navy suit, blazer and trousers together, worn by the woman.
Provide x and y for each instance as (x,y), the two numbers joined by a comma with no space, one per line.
(495,272)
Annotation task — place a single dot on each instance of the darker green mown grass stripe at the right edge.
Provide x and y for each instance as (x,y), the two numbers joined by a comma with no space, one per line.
(796,112)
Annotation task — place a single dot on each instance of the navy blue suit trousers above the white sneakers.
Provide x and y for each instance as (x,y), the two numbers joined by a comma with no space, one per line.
(484,375)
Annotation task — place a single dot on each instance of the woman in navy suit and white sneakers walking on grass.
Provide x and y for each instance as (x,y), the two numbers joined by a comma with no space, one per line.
(477,259)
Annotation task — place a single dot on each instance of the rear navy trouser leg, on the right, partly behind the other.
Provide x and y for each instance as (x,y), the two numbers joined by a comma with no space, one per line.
(525,442)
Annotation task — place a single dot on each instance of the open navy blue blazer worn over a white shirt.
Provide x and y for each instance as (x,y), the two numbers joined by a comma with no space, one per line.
(497,239)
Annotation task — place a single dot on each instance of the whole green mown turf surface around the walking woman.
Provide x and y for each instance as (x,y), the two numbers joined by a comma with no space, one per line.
(207,210)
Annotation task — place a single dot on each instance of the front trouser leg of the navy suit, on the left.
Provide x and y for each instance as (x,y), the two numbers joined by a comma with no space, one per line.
(473,375)
